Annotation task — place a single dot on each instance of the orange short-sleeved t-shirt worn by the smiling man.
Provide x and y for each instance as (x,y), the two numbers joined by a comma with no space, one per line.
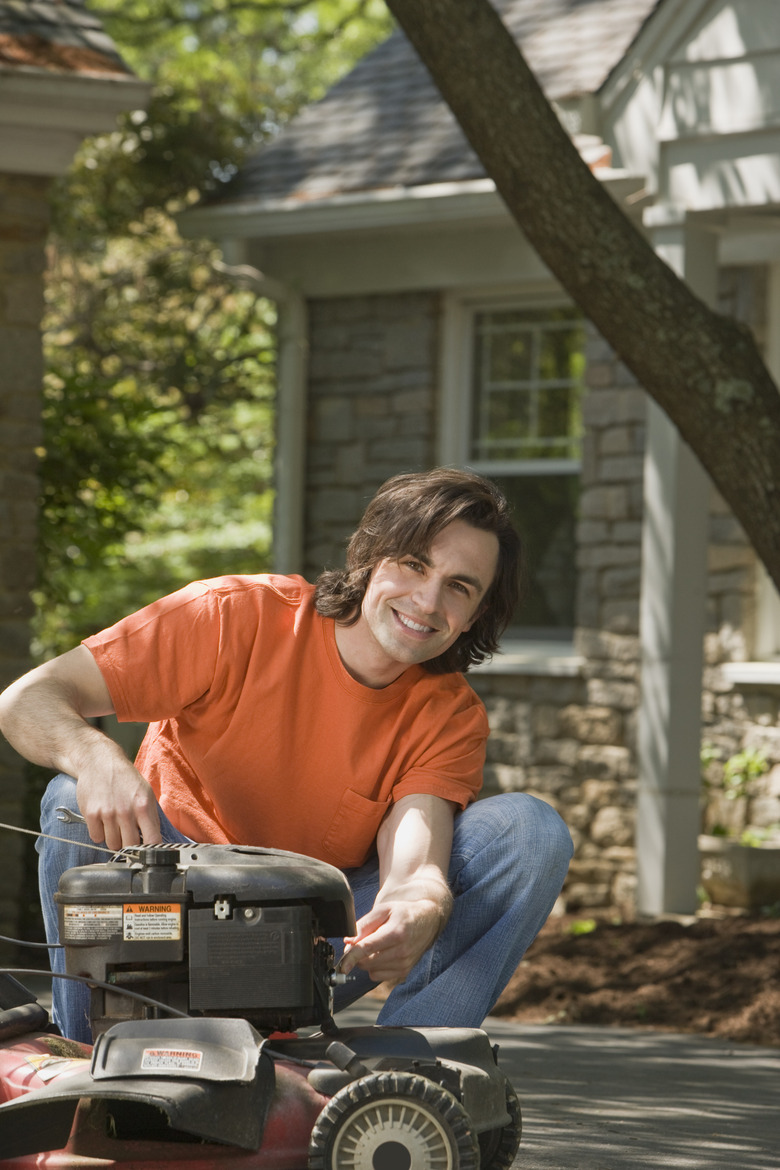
(260,737)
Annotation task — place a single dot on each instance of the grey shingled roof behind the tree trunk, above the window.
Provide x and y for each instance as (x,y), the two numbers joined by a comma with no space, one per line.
(386,126)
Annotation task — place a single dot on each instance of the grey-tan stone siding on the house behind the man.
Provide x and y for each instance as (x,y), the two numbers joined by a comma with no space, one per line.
(570,740)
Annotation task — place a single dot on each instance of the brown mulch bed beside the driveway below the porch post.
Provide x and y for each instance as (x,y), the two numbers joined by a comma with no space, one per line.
(715,976)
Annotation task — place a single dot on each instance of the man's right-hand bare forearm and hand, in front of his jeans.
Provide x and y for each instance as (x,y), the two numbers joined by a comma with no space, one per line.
(415,900)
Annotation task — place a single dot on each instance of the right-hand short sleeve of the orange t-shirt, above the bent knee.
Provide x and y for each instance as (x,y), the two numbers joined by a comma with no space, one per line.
(452,760)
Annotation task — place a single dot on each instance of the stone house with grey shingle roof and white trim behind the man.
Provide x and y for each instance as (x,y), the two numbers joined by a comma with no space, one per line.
(418,327)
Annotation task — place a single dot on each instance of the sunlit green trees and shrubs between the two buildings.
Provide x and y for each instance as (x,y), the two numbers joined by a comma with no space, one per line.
(160,389)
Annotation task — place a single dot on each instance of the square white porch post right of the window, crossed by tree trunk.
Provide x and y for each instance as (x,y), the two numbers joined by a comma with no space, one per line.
(673,616)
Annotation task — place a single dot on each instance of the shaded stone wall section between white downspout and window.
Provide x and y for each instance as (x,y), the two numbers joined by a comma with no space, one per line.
(372,404)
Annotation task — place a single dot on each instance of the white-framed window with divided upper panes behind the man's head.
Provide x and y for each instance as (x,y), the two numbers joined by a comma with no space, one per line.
(521,424)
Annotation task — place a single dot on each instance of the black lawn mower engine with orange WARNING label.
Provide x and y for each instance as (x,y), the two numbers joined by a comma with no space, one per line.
(209,931)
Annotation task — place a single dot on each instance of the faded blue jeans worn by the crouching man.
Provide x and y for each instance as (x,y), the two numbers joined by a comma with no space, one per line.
(510,857)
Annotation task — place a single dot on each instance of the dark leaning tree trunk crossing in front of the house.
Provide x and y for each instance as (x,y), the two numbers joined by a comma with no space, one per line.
(703,369)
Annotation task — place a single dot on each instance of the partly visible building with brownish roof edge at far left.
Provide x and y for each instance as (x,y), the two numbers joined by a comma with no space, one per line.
(61,80)
